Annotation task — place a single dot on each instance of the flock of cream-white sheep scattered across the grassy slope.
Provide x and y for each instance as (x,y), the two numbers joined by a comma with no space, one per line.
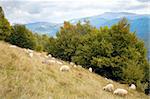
(65,68)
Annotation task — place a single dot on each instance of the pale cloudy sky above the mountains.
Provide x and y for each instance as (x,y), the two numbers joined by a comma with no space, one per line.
(57,11)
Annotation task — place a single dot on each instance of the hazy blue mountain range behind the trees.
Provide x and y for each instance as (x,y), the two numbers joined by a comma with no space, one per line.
(139,23)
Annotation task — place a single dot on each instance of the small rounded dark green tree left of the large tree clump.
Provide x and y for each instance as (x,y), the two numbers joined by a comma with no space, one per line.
(22,37)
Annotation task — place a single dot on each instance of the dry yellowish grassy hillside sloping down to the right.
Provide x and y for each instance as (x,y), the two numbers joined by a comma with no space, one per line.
(23,77)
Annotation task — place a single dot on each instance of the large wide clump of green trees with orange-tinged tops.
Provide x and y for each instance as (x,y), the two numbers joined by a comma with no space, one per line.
(115,51)
